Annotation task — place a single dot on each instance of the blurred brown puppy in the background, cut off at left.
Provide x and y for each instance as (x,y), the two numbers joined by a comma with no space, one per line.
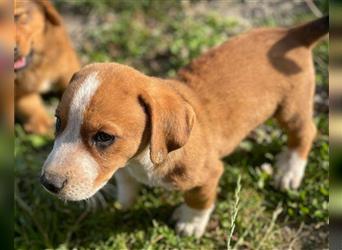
(44,60)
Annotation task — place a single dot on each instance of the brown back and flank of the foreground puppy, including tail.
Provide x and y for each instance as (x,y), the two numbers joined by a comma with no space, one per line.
(242,82)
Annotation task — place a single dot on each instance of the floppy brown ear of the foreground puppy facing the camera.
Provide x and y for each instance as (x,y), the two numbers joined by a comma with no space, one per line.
(171,121)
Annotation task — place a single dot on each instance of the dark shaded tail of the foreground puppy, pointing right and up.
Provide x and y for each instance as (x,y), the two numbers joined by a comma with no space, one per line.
(309,33)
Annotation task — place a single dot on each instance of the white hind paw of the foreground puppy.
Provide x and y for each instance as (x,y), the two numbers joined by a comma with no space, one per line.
(290,170)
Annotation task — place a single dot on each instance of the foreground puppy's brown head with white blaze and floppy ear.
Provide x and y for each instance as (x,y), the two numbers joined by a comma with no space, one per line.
(109,114)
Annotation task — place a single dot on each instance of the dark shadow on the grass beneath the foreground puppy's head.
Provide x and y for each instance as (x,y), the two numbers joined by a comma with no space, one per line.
(46,222)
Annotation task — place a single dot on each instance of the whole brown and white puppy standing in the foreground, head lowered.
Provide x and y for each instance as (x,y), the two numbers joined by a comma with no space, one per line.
(113,119)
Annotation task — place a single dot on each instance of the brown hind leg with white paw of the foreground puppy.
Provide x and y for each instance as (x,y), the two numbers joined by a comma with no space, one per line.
(298,122)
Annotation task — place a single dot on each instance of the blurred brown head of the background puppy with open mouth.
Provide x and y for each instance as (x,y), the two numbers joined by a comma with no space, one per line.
(32,17)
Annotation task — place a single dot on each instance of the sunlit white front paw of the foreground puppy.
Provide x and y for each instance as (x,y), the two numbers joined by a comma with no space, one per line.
(191,222)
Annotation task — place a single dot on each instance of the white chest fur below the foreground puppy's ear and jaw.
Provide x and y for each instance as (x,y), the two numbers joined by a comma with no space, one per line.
(142,169)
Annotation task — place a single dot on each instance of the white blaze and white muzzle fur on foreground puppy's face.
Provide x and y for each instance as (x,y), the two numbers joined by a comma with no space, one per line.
(68,149)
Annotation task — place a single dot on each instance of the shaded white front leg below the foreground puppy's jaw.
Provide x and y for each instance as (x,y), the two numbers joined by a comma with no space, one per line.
(128,188)
